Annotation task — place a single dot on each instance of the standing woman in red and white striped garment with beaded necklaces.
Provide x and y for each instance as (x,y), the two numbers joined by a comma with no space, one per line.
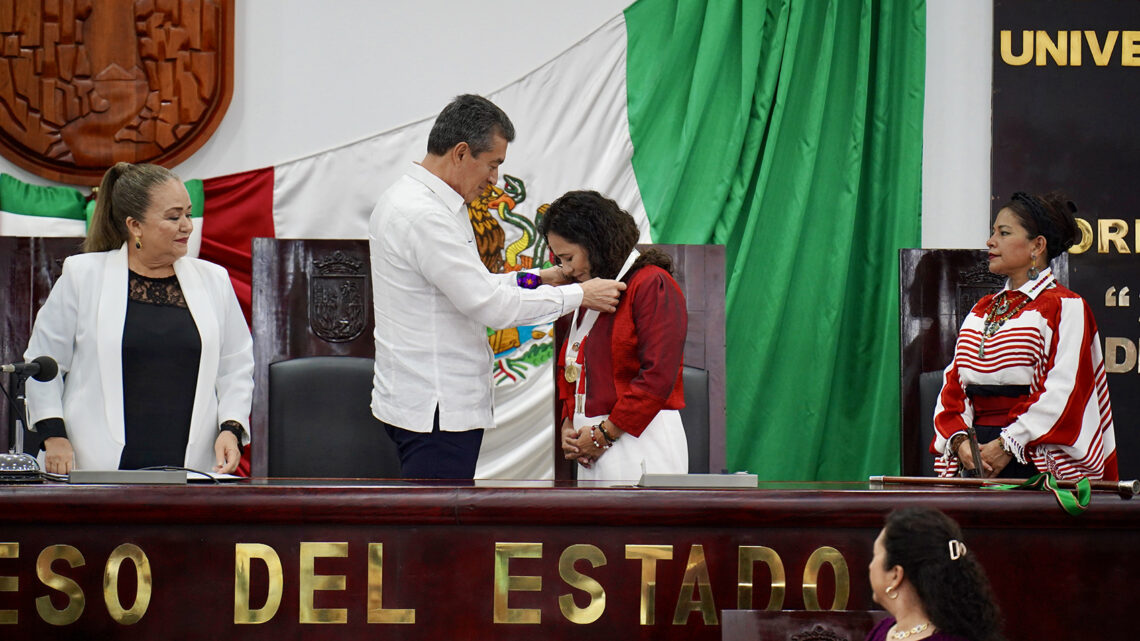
(1029,374)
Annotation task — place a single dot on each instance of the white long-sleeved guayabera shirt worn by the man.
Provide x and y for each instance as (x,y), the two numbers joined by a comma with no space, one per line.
(434,302)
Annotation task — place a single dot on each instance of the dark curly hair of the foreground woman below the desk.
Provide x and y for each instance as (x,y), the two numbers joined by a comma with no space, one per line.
(955,593)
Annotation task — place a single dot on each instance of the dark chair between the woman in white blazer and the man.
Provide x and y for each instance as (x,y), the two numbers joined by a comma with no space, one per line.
(313,298)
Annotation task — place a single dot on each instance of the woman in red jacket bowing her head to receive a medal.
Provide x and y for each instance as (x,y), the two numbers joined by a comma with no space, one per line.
(618,375)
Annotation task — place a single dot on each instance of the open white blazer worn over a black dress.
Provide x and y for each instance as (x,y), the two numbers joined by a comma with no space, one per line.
(82,327)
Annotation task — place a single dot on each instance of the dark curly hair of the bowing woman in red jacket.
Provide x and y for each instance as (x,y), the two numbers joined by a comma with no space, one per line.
(606,231)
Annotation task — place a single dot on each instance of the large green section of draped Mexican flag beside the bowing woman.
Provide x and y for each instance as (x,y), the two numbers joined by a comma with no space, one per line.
(792,133)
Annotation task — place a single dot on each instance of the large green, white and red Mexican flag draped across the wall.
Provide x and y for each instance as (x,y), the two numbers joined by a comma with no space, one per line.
(788,131)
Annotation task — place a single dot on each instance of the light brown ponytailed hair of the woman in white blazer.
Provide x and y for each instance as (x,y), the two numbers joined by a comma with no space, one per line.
(125,193)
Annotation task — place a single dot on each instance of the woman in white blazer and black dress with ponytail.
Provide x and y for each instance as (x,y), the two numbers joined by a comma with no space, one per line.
(156,359)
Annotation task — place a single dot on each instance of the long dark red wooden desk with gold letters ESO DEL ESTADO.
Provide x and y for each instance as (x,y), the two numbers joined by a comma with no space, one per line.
(520,561)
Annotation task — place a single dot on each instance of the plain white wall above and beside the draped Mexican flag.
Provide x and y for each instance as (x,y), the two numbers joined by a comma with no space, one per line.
(314,75)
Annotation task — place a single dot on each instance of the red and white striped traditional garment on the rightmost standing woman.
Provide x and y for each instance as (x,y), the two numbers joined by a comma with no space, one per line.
(1065,426)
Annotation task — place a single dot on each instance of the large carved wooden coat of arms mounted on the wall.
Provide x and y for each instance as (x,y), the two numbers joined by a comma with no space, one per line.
(87,84)
